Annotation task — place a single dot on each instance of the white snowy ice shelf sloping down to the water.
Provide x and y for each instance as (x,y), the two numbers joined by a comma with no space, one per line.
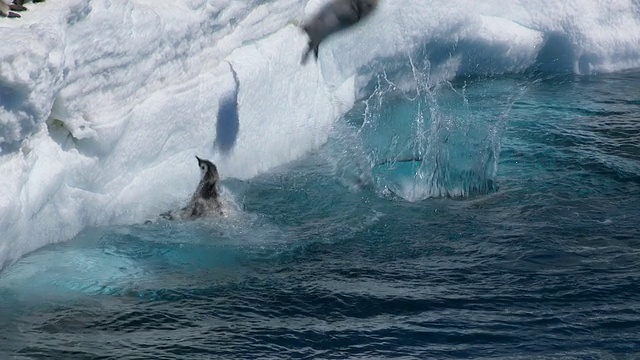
(104,104)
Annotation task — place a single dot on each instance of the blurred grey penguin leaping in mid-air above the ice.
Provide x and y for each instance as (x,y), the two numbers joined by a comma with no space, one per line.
(334,17)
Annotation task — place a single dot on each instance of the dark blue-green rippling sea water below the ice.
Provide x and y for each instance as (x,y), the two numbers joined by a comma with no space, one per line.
(487,218)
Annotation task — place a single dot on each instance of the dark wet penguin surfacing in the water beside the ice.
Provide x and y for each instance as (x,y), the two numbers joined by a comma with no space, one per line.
(205,200)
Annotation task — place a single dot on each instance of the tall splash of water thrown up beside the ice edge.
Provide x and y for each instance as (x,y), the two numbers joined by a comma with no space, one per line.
(427,137)
